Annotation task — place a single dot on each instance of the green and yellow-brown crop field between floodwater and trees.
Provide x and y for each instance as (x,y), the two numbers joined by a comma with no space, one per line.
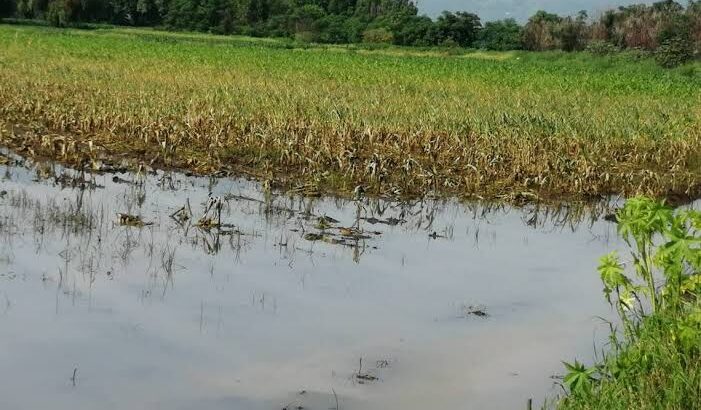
(396,121)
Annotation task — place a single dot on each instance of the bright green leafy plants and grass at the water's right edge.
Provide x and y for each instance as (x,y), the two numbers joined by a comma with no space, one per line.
(654,361)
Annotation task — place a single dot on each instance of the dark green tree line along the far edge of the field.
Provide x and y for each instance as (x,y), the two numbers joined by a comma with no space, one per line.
(665,24)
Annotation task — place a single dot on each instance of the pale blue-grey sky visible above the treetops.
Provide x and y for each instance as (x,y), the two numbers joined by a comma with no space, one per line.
(518,9)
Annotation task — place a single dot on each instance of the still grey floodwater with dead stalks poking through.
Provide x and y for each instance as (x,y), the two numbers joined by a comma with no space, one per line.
(159,290)
